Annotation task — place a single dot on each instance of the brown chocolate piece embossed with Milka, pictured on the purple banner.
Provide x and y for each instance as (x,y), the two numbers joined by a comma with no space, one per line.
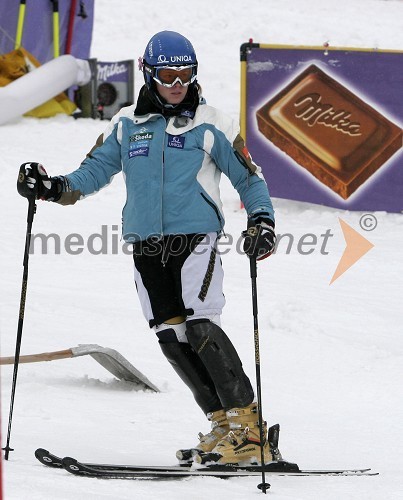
(329,130)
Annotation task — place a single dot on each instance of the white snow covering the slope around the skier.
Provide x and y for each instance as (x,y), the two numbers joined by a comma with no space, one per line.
(331,355)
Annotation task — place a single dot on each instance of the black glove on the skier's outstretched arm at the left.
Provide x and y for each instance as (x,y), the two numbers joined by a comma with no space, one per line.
(34,181)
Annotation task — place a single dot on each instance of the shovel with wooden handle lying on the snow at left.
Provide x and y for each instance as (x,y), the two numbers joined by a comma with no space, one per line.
(110,359)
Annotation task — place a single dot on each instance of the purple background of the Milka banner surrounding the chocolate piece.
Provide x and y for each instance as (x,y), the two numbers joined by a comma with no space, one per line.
(376,77)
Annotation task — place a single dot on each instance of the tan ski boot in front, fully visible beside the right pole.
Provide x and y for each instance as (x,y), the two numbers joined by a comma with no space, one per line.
(241,446)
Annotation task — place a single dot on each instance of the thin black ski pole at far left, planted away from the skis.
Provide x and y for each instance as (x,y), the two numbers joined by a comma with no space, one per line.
(30,218)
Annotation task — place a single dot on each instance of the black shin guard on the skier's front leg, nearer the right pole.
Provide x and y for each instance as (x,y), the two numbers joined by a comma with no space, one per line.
(222,362)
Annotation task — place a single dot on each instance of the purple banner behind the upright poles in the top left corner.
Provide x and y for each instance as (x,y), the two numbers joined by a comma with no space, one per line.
(38,28)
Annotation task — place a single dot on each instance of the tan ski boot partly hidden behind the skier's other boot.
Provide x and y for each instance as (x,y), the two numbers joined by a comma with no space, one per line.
(219,429)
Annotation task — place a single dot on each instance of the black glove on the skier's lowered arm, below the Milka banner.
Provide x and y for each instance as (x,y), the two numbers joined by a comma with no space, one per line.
(260,238)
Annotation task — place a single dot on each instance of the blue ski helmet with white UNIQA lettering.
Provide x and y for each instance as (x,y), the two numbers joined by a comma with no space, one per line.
(167,48)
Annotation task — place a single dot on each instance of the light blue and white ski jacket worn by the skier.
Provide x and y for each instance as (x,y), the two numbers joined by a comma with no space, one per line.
(172,168)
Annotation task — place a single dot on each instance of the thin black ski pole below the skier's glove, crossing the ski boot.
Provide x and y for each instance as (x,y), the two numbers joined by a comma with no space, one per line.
(253,274)
